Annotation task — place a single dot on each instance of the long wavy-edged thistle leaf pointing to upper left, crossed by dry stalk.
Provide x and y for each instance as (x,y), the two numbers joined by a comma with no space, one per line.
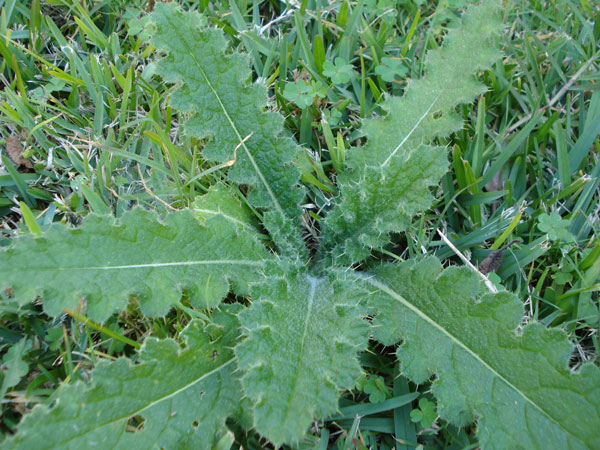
(214,91)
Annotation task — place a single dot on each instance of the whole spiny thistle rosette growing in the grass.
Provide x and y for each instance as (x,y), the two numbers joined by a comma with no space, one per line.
(288,345)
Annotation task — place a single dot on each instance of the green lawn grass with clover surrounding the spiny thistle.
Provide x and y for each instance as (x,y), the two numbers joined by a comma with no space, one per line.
(78,92)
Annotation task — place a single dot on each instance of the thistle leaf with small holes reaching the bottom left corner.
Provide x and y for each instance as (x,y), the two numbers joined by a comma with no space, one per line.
(184,396)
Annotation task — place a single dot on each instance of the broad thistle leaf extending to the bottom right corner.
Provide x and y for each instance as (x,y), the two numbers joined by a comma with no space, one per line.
(516,383)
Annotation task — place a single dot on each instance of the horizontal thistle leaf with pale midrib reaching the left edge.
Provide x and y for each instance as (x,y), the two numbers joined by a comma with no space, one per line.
(105,261)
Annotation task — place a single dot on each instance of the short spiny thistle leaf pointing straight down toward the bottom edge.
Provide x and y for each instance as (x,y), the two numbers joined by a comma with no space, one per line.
(302,335)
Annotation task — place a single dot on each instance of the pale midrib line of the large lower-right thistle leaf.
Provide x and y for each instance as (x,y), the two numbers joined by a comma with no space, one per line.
(396,296)
